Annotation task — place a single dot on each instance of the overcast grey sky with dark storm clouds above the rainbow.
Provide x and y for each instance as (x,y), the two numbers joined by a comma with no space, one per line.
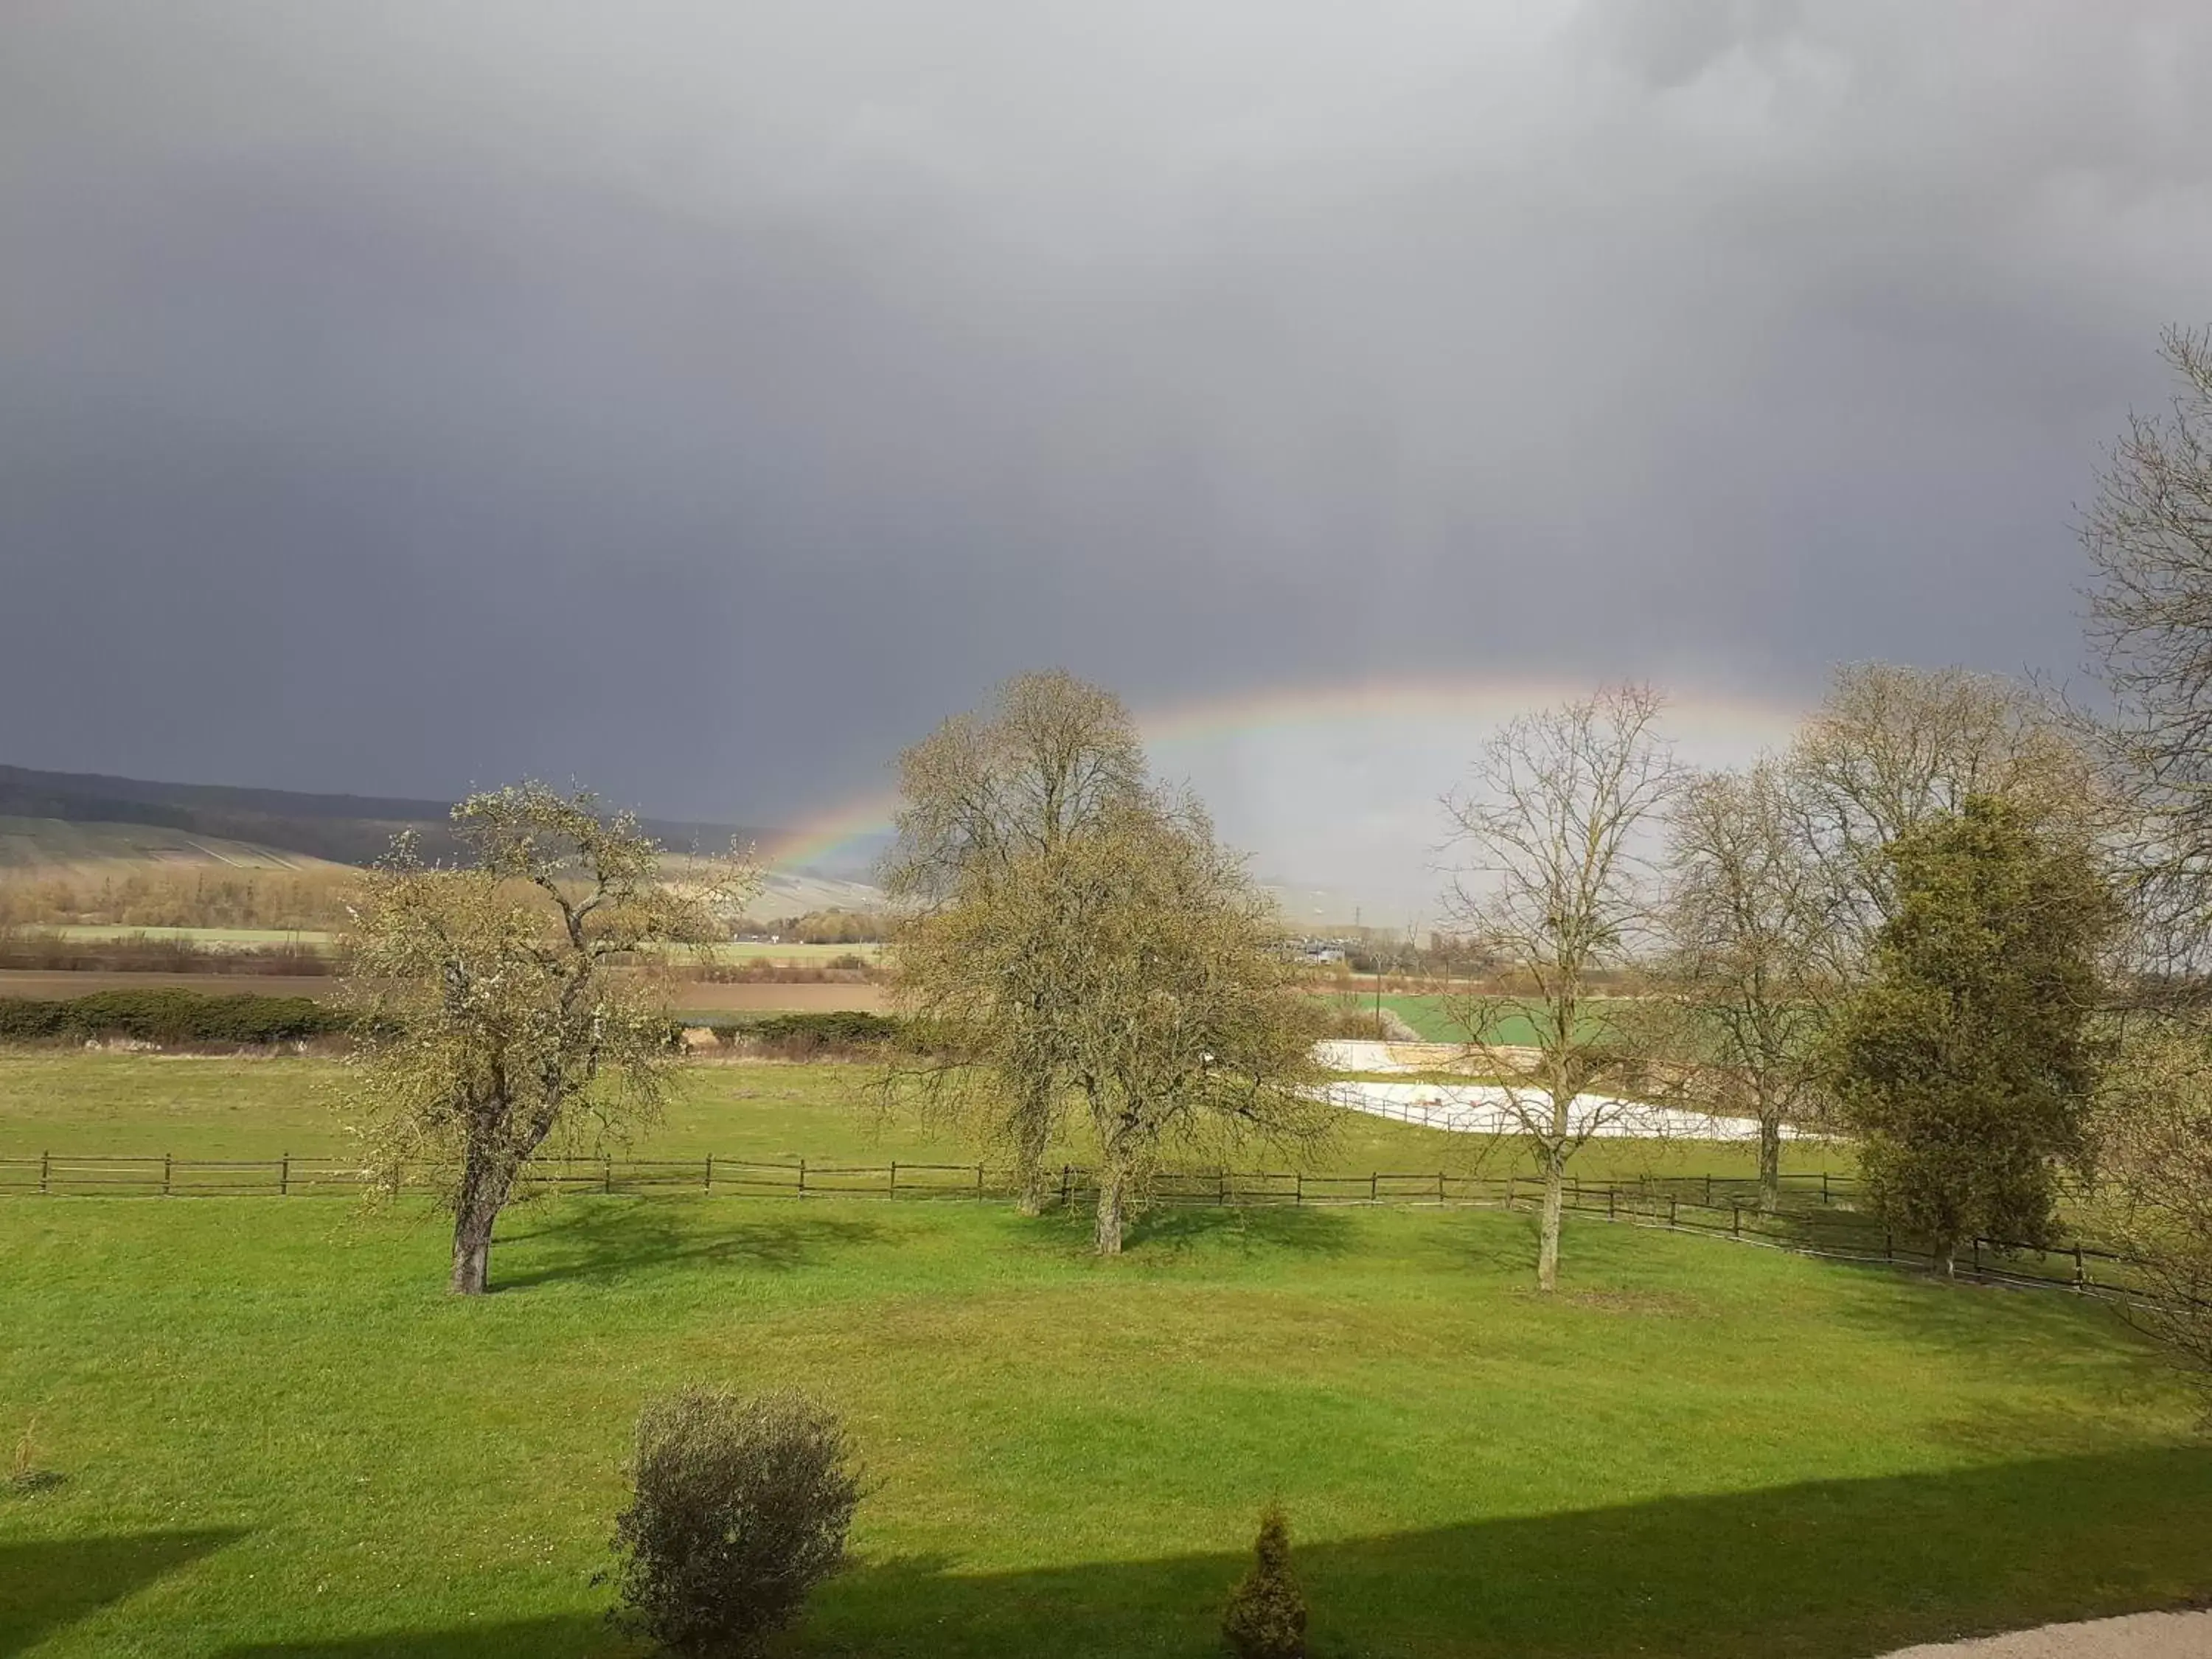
(702,399)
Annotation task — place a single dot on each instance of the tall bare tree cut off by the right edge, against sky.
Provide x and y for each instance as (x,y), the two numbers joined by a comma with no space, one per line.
(2151,620)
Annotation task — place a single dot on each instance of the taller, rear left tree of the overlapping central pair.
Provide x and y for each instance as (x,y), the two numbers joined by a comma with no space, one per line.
(1041,766)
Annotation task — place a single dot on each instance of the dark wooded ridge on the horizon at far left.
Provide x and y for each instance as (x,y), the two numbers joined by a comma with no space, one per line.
(337,828)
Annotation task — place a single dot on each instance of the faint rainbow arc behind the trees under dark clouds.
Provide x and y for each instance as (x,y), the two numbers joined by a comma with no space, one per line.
(1726,724)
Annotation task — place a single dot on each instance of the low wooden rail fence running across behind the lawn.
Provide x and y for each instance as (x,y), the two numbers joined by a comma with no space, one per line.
(1817,1213)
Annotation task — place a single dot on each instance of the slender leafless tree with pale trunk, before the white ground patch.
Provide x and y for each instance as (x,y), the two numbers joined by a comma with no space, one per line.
(1558,831)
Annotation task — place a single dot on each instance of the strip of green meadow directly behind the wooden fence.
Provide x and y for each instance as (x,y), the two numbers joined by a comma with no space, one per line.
(87,1105)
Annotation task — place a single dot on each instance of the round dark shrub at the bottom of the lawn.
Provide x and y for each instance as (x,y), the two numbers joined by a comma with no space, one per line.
(740,1512)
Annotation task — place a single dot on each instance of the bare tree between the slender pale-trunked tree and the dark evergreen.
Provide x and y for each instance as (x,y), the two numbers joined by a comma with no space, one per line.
(1744,930)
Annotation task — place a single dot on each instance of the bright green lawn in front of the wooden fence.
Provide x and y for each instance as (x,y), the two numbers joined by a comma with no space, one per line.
(282,1439)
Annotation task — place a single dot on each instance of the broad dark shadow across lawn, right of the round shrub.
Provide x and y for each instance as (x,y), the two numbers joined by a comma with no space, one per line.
(1819,1572)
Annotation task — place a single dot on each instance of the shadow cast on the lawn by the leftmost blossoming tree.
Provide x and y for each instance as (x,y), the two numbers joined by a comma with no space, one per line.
(620,1238)
